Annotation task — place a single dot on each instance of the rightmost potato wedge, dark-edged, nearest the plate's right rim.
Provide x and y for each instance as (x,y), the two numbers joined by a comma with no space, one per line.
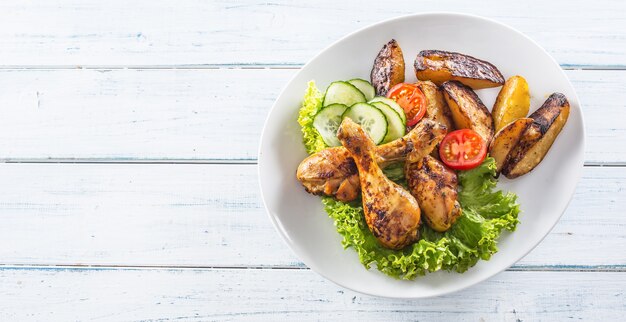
(548,121)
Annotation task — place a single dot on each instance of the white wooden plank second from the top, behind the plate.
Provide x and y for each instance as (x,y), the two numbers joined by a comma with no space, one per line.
(201,114)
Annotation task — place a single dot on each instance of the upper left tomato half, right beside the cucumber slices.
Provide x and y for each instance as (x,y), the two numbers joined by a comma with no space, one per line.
(411,99)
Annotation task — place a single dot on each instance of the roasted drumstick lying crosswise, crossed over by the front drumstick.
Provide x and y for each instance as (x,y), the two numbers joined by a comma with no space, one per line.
(332,171)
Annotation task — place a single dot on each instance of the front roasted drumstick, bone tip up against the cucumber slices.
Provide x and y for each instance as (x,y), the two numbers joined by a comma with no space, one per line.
(391,213)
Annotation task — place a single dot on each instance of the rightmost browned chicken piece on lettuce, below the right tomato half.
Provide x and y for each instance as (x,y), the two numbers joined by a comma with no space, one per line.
(435,188)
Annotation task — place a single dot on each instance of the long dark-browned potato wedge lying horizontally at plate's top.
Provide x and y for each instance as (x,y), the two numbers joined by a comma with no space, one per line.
(440,66)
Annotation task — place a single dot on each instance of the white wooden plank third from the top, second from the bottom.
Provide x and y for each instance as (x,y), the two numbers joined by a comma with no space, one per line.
(212,216)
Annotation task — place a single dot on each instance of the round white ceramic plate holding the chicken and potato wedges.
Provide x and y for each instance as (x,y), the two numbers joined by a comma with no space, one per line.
(543,194)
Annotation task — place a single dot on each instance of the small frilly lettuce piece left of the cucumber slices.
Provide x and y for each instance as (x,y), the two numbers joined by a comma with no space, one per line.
(311,104)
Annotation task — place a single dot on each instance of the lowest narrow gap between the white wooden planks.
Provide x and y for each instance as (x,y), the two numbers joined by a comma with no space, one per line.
(542,268)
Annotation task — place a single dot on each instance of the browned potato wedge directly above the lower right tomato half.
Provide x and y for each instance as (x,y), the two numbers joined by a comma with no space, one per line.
(467,110)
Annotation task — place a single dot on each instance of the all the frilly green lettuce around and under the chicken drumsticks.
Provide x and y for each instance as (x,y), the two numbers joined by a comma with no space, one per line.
(485,213)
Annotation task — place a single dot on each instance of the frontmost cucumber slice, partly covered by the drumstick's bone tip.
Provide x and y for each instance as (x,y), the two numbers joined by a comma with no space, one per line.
(370,118)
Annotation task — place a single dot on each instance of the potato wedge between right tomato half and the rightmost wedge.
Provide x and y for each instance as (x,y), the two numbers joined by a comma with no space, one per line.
(506,139)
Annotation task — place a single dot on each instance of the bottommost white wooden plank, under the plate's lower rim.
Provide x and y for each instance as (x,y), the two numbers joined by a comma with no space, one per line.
(271,295)
